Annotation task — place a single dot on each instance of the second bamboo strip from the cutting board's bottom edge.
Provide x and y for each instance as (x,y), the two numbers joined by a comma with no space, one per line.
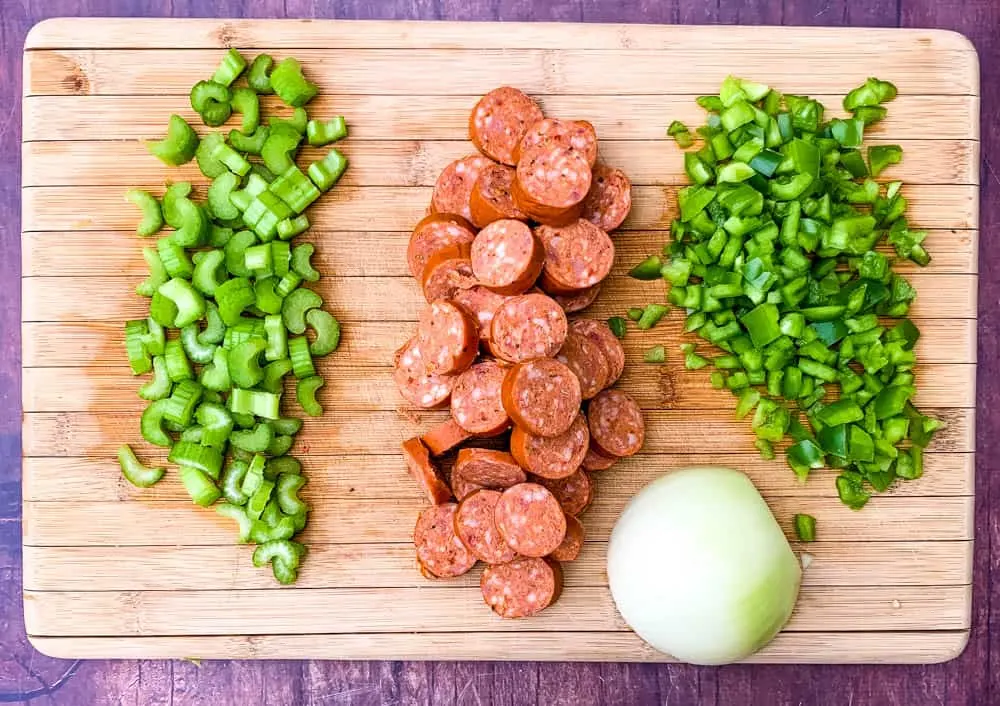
(445,608)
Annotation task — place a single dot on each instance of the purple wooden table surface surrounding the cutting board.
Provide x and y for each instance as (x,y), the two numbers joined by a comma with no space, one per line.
(974,678)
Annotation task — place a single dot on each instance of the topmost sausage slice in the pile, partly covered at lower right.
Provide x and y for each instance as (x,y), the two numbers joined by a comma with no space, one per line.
(499,120)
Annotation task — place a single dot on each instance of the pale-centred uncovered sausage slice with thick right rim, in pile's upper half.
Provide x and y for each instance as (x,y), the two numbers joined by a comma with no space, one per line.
(507,257)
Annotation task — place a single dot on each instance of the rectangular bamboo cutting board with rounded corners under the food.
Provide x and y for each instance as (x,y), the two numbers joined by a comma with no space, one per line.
(113,571)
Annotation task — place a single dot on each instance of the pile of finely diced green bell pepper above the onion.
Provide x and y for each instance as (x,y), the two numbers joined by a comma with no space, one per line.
(774,256)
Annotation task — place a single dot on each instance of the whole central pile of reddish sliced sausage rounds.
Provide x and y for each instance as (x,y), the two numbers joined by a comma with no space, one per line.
(516,238)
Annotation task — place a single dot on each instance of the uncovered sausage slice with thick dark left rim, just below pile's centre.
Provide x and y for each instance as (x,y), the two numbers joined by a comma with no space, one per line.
(542,396)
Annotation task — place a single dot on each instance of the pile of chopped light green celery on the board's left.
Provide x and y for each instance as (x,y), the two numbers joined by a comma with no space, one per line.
(227,282)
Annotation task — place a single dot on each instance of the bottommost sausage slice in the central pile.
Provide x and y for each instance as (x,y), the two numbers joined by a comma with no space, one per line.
(521,588)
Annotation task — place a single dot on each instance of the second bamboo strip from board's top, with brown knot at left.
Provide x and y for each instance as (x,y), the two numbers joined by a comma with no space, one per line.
(476,70)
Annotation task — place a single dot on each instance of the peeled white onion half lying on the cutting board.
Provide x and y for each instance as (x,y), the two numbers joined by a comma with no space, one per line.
(699,567)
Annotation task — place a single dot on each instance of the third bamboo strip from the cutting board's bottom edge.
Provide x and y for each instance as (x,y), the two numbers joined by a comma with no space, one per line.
(905,563)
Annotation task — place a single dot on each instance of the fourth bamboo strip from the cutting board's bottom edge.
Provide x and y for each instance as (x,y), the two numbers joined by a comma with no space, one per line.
(372,521)
